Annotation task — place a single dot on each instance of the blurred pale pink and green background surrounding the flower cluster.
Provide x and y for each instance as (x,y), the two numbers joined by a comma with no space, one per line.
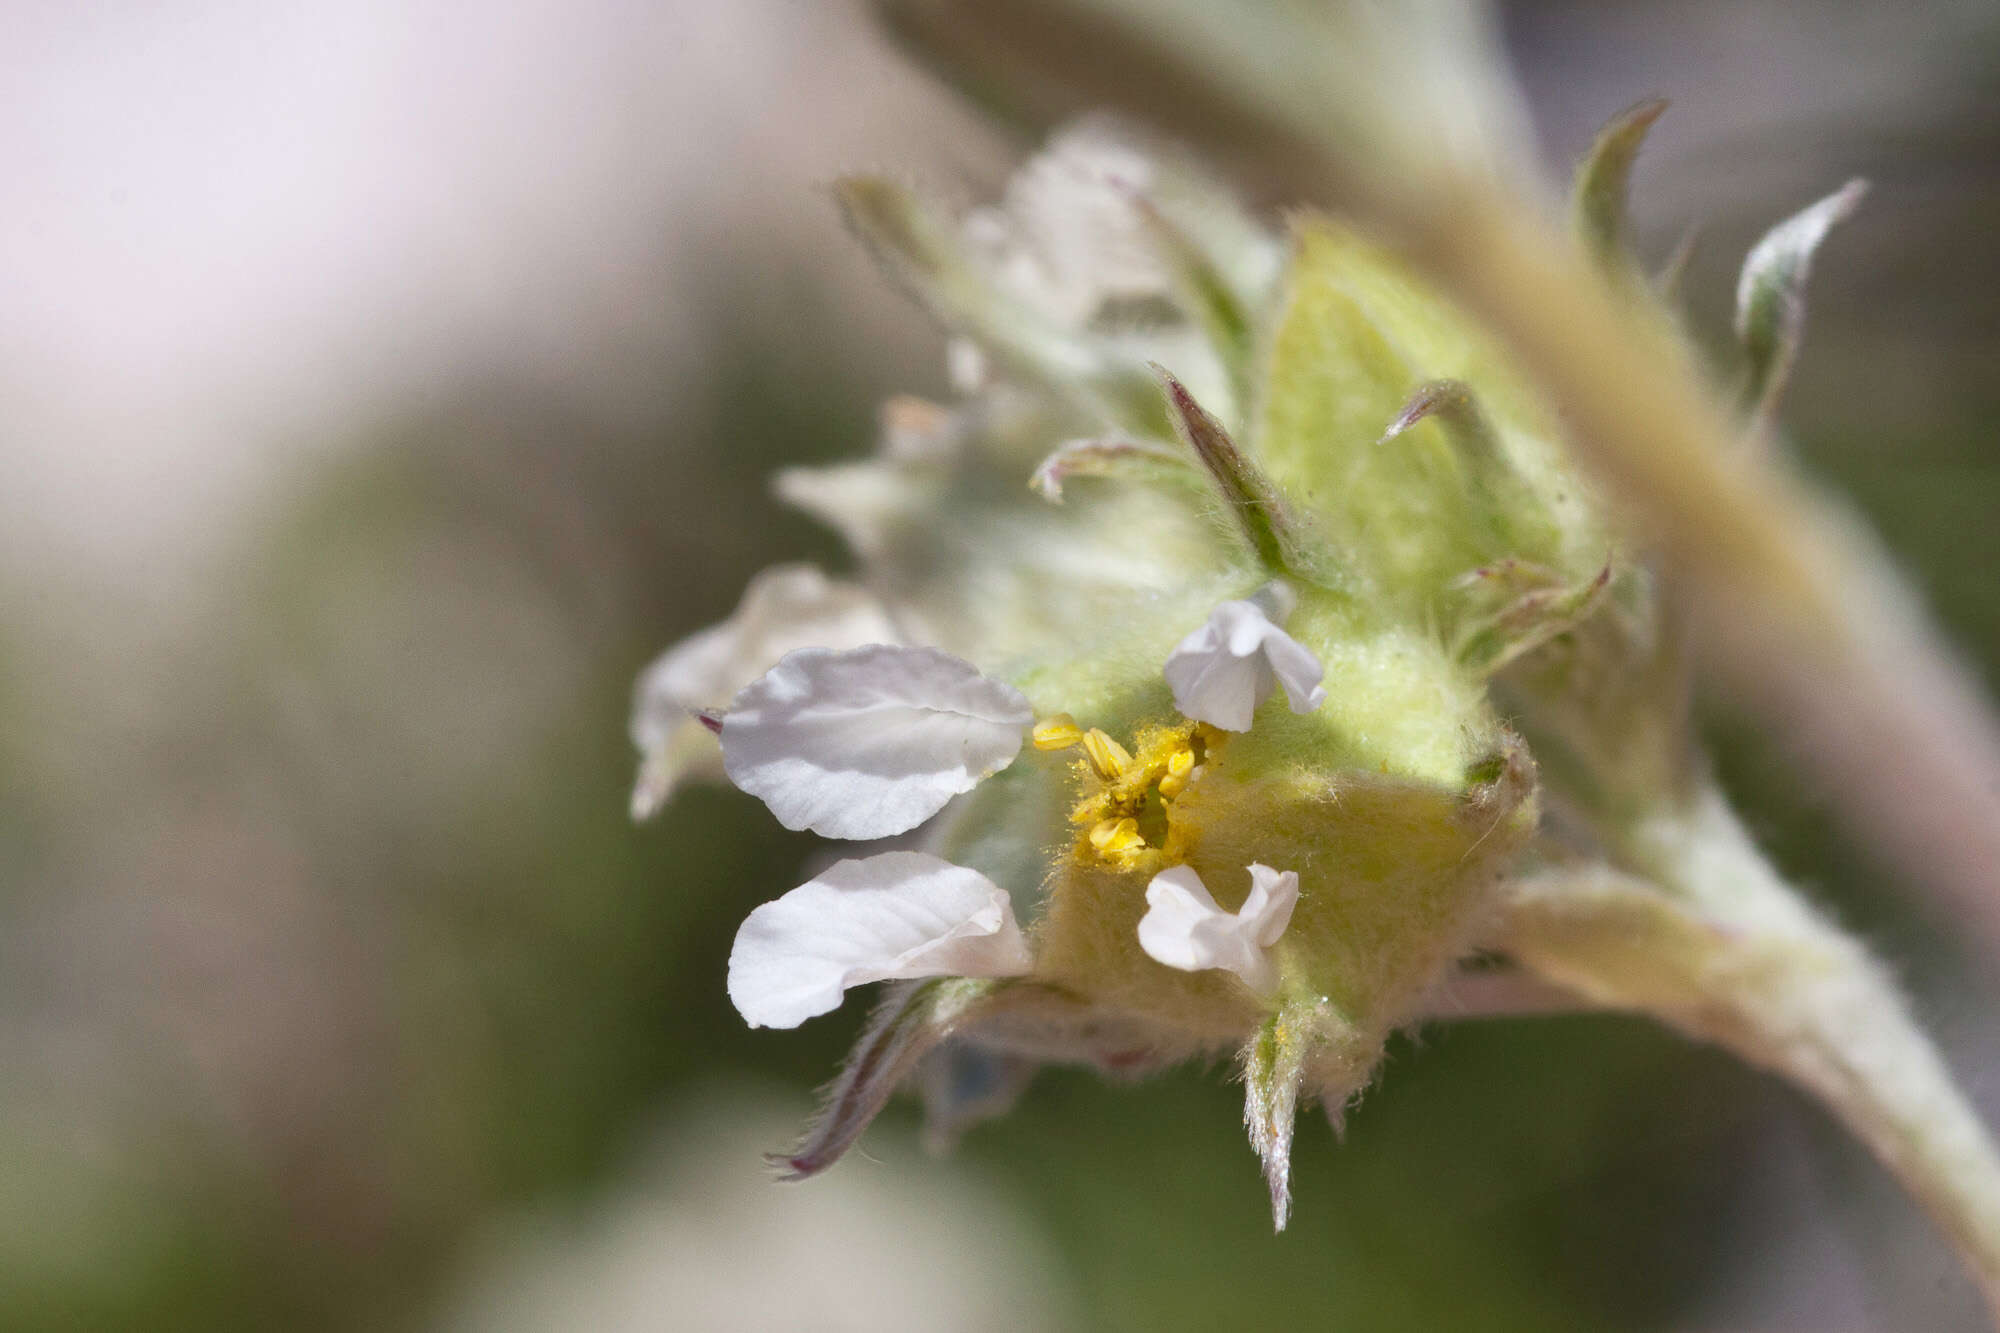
(383,383)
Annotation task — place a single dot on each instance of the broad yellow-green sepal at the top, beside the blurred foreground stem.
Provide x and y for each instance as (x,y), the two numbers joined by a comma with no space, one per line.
(1461,485)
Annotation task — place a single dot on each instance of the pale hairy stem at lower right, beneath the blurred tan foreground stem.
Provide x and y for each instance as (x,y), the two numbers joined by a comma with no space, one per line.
(1723,950)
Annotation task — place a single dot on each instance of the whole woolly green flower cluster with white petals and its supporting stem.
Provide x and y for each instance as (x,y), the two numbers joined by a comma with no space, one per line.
(1245,670)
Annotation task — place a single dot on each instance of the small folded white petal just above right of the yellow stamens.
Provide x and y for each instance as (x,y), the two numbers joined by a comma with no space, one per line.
(1223,672)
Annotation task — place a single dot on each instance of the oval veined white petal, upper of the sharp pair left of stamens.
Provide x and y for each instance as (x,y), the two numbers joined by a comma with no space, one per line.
(873,742)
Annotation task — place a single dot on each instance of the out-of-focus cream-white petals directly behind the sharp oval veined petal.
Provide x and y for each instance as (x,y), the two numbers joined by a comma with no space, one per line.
(785,607)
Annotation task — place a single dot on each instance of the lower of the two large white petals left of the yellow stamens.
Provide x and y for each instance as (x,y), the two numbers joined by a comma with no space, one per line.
(887,918)
